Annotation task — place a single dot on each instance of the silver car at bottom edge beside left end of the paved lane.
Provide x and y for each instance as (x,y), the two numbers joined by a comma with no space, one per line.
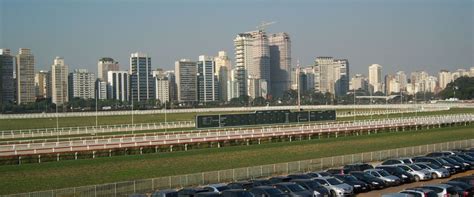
(335,187)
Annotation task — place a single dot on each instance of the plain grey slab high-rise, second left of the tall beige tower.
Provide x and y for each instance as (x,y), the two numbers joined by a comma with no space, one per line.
(186,81)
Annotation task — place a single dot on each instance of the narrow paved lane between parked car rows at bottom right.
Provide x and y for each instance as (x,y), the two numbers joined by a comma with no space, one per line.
(415,184)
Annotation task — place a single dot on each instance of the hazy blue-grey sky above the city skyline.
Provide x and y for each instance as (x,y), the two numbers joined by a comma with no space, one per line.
(404,35)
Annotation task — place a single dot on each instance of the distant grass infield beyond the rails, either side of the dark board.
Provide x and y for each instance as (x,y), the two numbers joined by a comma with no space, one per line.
(13,124)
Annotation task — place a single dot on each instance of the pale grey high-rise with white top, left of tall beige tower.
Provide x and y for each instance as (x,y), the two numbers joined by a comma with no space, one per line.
(207,84)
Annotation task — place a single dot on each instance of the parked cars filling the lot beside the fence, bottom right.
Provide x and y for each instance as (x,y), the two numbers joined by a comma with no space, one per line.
(352,179)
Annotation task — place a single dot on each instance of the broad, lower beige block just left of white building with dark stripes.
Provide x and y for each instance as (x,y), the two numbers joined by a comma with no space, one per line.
(81,84)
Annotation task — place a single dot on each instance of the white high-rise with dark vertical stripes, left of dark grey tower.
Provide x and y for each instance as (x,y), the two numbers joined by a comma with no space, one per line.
(118,85)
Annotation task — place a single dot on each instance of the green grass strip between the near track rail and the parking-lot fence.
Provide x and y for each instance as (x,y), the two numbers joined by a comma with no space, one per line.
(33,177)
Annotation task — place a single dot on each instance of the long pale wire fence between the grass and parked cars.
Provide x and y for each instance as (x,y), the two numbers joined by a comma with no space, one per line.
(222,176)
